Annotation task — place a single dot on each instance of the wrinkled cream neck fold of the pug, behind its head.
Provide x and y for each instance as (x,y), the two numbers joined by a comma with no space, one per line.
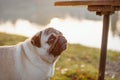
(35,54)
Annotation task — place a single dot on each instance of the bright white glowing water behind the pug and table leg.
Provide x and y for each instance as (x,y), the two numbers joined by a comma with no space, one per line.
(85,32)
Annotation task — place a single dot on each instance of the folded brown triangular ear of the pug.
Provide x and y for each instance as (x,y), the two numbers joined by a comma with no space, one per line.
(36,40)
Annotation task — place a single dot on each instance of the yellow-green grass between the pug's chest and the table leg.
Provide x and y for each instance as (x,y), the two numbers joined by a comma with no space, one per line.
(80,63)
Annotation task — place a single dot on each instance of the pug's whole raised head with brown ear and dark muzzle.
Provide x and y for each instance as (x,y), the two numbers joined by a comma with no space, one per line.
(51,40)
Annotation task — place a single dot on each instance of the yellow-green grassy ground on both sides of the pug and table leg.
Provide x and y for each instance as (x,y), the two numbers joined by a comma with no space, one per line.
(76,63)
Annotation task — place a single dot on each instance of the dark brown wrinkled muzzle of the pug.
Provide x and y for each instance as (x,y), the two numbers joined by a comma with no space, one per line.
(58,46)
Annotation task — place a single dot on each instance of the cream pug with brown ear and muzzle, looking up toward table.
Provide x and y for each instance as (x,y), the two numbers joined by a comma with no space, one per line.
(33,59)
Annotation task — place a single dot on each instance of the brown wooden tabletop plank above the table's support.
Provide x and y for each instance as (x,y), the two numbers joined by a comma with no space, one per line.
(88,2)
